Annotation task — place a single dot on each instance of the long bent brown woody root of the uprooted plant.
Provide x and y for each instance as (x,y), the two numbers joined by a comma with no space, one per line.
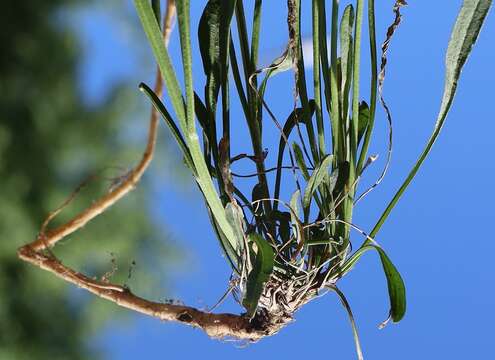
(38,252)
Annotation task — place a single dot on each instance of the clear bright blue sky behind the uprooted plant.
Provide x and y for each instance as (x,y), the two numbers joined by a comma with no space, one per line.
(439,236)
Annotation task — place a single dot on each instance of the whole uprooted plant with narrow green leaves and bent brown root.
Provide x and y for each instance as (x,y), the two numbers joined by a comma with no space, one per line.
(284,249)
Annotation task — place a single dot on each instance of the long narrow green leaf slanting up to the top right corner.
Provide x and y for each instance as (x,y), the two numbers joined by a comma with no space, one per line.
(464,36)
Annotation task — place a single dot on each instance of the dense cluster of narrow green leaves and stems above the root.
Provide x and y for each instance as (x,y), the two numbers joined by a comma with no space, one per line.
(264,236)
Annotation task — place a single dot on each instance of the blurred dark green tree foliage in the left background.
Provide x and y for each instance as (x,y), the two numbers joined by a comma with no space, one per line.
(49,141)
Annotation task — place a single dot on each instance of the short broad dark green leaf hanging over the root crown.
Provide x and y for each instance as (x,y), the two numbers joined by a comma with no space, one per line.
(259,275)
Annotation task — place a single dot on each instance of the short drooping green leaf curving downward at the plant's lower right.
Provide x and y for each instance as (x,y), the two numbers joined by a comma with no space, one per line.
(395,284)
